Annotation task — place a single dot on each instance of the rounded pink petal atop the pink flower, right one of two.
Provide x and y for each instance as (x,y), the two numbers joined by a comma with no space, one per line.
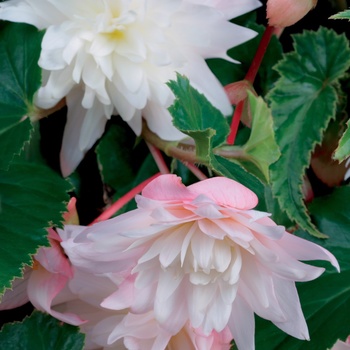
(226,192)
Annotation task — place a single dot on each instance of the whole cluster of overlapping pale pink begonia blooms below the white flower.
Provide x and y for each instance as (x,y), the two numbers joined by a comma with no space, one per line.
(187,269)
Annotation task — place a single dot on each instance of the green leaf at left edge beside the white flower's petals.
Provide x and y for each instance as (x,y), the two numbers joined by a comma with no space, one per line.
(20,77)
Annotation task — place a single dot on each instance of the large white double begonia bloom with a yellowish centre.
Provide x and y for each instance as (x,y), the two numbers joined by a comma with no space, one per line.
(115,56)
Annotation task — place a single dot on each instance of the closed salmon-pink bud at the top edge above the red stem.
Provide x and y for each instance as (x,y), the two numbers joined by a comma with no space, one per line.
(284,13)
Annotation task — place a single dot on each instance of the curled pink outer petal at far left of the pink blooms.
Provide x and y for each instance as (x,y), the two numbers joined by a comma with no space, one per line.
(43,287)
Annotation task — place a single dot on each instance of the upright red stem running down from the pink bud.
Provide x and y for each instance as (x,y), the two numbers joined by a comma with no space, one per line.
(250,76)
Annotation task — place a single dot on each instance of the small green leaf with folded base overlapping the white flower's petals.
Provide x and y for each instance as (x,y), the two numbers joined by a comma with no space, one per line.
(194,115)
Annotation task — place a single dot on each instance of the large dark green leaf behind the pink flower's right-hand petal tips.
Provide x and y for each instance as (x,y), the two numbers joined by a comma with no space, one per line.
(326,300)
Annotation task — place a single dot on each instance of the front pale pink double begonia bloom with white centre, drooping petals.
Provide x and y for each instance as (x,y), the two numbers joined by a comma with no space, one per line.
(201,254)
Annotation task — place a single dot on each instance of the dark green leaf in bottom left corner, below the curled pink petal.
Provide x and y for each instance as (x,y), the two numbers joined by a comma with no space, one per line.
(40,331)
